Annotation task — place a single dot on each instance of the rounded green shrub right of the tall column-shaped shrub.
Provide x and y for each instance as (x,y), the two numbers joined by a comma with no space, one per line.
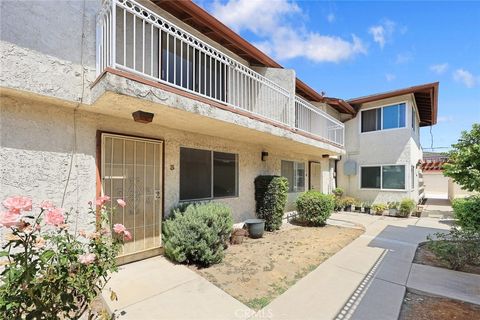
(315,207)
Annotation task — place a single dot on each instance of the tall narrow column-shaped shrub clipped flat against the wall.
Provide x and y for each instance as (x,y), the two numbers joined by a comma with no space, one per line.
(271,198)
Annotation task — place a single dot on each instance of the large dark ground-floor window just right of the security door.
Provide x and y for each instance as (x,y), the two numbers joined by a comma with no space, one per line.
(206,174)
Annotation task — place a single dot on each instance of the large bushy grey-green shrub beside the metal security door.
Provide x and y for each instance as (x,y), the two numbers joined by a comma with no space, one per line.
(198,235)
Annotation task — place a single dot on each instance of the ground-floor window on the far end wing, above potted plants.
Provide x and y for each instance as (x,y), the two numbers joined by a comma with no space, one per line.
(383,177)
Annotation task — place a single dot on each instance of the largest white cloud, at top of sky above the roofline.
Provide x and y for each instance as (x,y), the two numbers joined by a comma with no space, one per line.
(282,33)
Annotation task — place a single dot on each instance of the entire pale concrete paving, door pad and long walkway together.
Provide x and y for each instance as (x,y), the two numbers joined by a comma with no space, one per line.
(365,280)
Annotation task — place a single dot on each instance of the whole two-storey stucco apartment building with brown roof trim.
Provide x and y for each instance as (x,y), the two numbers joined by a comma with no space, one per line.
(76,74)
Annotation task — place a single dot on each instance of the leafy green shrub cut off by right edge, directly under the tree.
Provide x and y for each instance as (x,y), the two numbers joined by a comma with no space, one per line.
(467,212)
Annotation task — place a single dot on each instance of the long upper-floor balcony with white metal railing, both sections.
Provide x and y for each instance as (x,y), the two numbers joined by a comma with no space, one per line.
(134,39)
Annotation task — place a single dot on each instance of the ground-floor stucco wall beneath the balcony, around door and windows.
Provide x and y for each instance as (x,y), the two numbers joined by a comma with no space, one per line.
(40,167)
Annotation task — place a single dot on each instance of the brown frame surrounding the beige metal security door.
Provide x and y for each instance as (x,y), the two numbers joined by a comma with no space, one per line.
(98,191)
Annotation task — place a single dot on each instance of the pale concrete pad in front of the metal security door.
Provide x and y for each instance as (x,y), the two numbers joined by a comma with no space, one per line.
(157,289)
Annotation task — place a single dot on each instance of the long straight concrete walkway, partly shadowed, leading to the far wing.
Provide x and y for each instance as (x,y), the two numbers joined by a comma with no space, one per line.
(364,280)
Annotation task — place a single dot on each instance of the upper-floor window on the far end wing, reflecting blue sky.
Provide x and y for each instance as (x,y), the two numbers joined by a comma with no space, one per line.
(389,117)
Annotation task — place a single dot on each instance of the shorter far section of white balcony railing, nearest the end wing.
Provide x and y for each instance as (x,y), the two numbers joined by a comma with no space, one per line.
(312,120)
